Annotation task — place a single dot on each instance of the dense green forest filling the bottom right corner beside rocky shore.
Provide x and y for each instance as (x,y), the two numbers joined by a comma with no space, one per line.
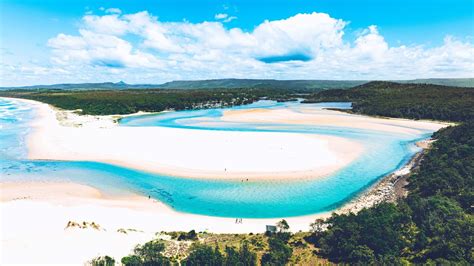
(434,223)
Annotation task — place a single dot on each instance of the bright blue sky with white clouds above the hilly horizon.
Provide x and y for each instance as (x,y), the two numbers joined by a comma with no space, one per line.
(155,41)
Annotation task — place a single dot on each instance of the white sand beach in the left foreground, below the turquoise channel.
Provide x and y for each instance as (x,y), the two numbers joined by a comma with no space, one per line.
(34,217)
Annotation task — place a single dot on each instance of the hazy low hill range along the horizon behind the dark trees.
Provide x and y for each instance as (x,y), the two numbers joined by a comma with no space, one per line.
(240,83)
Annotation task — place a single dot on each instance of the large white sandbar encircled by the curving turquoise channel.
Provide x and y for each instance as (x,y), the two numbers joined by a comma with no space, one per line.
(190,153)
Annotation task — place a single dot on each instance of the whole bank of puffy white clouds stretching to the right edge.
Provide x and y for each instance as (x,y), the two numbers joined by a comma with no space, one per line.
(143,48)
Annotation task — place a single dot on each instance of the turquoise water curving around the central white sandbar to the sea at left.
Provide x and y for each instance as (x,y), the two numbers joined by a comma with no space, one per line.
(384,154)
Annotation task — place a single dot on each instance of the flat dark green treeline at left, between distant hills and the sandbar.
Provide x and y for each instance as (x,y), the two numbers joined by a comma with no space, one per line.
(106,102)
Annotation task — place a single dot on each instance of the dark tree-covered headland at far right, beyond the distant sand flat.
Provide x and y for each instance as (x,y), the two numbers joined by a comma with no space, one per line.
(414,101)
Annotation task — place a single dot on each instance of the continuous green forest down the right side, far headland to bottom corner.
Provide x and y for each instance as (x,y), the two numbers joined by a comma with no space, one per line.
(435,223)
